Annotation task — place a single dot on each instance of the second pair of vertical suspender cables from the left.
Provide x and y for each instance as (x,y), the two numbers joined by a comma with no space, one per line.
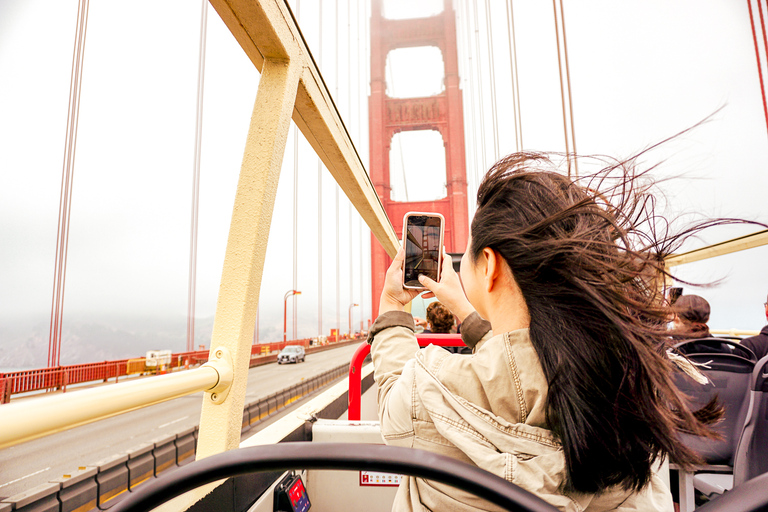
(192,284)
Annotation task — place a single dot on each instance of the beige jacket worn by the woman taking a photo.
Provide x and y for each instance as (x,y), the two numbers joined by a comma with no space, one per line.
(485,409)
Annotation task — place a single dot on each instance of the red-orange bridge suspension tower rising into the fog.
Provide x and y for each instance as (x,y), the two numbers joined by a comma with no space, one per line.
(442,112)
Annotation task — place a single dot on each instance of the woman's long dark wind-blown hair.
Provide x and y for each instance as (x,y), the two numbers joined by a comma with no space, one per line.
(588,258)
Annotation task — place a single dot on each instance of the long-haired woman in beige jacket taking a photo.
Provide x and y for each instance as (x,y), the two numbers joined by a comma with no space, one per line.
(567,392)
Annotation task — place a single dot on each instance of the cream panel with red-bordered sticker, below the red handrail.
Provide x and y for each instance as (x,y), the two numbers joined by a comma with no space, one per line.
(350,490)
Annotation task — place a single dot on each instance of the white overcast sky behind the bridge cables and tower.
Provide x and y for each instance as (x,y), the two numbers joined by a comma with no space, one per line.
(640,72)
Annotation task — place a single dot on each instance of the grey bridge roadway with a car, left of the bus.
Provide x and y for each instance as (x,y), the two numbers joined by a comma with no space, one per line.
(38,461)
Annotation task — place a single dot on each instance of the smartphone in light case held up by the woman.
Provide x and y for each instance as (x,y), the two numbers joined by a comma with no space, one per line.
(423,241)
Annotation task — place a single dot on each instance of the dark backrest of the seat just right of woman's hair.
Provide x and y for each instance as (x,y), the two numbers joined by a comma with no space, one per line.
(729,368)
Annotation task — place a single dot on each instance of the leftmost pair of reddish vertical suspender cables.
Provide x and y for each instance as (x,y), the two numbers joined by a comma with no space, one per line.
(65,197)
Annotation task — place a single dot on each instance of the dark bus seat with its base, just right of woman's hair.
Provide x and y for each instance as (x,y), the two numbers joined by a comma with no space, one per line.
(728,366)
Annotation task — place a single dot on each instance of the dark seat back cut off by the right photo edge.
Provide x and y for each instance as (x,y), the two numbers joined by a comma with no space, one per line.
(752,452)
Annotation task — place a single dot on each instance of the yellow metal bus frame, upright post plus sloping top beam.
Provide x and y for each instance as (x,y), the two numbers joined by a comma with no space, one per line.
(290,86)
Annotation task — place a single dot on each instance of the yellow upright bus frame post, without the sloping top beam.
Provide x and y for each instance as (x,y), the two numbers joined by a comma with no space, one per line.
(233,325)
